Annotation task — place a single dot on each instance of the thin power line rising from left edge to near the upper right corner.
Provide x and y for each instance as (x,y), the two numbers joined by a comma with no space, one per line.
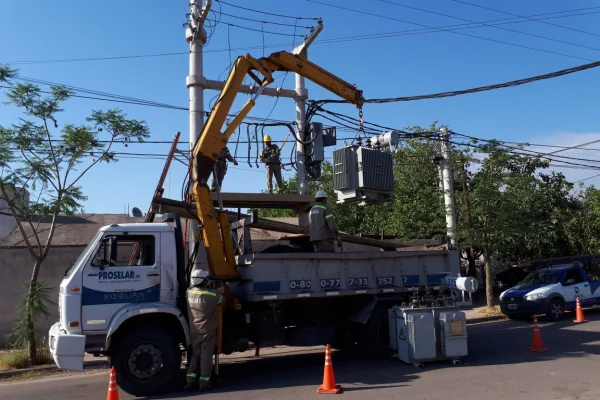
(383,35)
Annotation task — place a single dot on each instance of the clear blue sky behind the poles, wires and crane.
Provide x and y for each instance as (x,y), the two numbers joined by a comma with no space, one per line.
(559,111)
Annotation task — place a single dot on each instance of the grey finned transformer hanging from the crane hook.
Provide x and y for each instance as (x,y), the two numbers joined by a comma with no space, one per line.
(363,175)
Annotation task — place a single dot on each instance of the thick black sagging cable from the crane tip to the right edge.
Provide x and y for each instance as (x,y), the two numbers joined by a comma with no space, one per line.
(477,89)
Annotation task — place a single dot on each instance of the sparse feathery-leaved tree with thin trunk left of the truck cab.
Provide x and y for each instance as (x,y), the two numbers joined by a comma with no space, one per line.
(36,154)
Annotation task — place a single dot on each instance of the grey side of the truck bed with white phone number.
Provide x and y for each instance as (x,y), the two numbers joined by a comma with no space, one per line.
(296,275)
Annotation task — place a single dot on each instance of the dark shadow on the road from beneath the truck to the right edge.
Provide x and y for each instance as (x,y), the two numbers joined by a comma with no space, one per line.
(496,343)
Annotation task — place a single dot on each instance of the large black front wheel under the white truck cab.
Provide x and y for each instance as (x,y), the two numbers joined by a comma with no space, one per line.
(147,362)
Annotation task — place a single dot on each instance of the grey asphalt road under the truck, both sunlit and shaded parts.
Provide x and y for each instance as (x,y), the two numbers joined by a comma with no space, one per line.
(499,366)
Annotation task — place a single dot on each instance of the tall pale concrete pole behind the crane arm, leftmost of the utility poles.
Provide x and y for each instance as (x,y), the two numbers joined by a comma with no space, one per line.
(195,35)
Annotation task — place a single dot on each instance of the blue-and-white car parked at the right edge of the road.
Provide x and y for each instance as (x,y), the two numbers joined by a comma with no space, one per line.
(550,291)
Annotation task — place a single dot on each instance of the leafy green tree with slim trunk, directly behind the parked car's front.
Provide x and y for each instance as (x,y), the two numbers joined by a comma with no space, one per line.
(517,212)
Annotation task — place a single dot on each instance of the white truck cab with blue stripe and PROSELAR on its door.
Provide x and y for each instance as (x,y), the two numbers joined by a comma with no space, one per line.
(108,291)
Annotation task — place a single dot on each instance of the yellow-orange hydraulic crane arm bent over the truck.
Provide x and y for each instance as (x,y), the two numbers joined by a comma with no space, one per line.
(215,232)
